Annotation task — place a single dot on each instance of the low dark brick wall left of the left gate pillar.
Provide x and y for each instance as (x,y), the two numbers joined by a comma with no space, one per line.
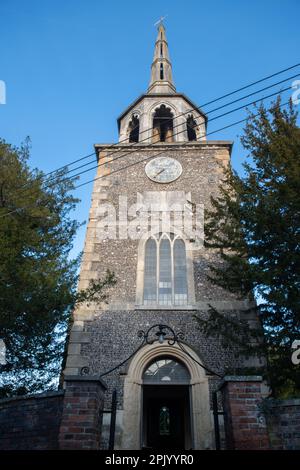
(30,422)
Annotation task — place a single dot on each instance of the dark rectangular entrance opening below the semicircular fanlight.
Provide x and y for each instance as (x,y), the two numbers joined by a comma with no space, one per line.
(166,417)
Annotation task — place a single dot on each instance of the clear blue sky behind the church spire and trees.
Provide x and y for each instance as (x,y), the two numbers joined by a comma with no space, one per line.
(72,66)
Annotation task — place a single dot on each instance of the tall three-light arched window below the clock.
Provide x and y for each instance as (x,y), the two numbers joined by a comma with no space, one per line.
(165,273)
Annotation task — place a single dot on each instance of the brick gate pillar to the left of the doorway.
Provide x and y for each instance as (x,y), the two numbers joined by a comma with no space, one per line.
(81,421)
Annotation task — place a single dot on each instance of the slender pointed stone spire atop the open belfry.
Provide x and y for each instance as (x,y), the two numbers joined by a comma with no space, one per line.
(161,70)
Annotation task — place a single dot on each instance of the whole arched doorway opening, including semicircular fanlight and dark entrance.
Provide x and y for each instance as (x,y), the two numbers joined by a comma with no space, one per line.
(166,420)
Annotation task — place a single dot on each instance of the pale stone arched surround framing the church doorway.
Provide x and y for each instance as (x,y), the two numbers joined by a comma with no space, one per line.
(201,421)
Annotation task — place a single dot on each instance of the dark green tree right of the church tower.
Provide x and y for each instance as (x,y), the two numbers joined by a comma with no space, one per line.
(254,226)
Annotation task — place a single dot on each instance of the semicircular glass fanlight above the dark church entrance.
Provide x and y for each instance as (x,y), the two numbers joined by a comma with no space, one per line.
(166,370)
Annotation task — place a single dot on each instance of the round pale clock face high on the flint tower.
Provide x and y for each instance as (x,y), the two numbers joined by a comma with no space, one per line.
(163,169)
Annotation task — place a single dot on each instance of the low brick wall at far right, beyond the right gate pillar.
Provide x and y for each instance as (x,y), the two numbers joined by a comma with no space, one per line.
(283,417)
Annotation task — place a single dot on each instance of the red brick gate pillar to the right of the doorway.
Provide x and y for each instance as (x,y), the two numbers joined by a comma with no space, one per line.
(245,427)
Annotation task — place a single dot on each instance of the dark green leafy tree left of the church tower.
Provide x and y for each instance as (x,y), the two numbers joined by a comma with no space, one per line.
(37,277)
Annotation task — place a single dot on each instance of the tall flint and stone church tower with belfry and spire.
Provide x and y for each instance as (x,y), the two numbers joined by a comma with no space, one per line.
(145,225)
